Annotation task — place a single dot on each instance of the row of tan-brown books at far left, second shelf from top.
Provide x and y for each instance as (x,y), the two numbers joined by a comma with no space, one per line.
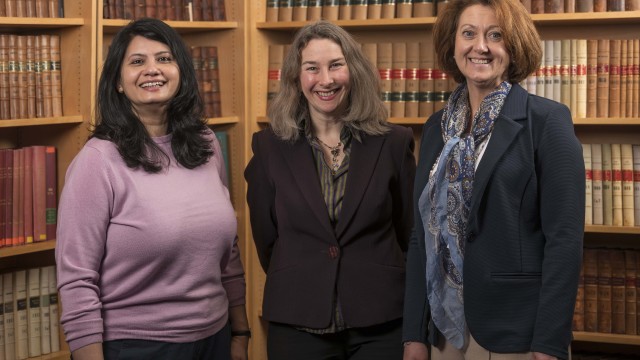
(30,76)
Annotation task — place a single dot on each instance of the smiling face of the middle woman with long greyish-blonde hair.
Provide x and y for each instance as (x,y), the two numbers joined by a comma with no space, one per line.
(324,79)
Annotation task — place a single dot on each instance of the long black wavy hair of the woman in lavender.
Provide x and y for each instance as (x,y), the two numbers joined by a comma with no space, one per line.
(117,122)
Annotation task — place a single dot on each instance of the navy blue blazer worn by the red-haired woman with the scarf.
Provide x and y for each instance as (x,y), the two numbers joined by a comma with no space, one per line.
(524,248)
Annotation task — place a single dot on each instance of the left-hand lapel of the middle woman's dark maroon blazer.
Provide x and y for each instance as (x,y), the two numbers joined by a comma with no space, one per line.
(301,163)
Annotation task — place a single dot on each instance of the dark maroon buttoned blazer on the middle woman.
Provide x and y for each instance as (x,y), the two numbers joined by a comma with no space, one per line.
(306,259)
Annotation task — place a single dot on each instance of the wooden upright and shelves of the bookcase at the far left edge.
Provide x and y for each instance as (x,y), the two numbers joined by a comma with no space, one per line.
(68,132)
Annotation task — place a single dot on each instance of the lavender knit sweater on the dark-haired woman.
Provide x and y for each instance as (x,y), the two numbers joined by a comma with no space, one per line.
(145,256)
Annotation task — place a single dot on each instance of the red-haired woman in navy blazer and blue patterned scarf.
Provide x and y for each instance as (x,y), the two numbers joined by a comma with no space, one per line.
(494,258)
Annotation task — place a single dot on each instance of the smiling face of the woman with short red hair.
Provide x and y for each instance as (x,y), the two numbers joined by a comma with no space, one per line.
(480,51)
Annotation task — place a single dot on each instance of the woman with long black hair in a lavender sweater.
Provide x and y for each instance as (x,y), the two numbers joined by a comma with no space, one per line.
(147,254)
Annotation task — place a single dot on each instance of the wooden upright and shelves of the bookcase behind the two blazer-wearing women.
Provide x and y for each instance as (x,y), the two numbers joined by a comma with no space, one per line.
(612,25)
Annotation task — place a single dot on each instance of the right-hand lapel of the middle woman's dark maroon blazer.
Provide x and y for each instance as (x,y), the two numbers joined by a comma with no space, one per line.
(363,159)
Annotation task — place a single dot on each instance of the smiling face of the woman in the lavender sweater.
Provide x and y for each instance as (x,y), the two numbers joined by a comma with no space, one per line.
(149,76)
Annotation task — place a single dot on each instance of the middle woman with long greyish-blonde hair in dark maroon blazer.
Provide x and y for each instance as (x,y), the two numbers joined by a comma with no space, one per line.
(329,194)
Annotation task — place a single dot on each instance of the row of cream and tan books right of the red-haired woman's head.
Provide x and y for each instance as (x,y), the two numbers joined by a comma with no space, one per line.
(594,78)
